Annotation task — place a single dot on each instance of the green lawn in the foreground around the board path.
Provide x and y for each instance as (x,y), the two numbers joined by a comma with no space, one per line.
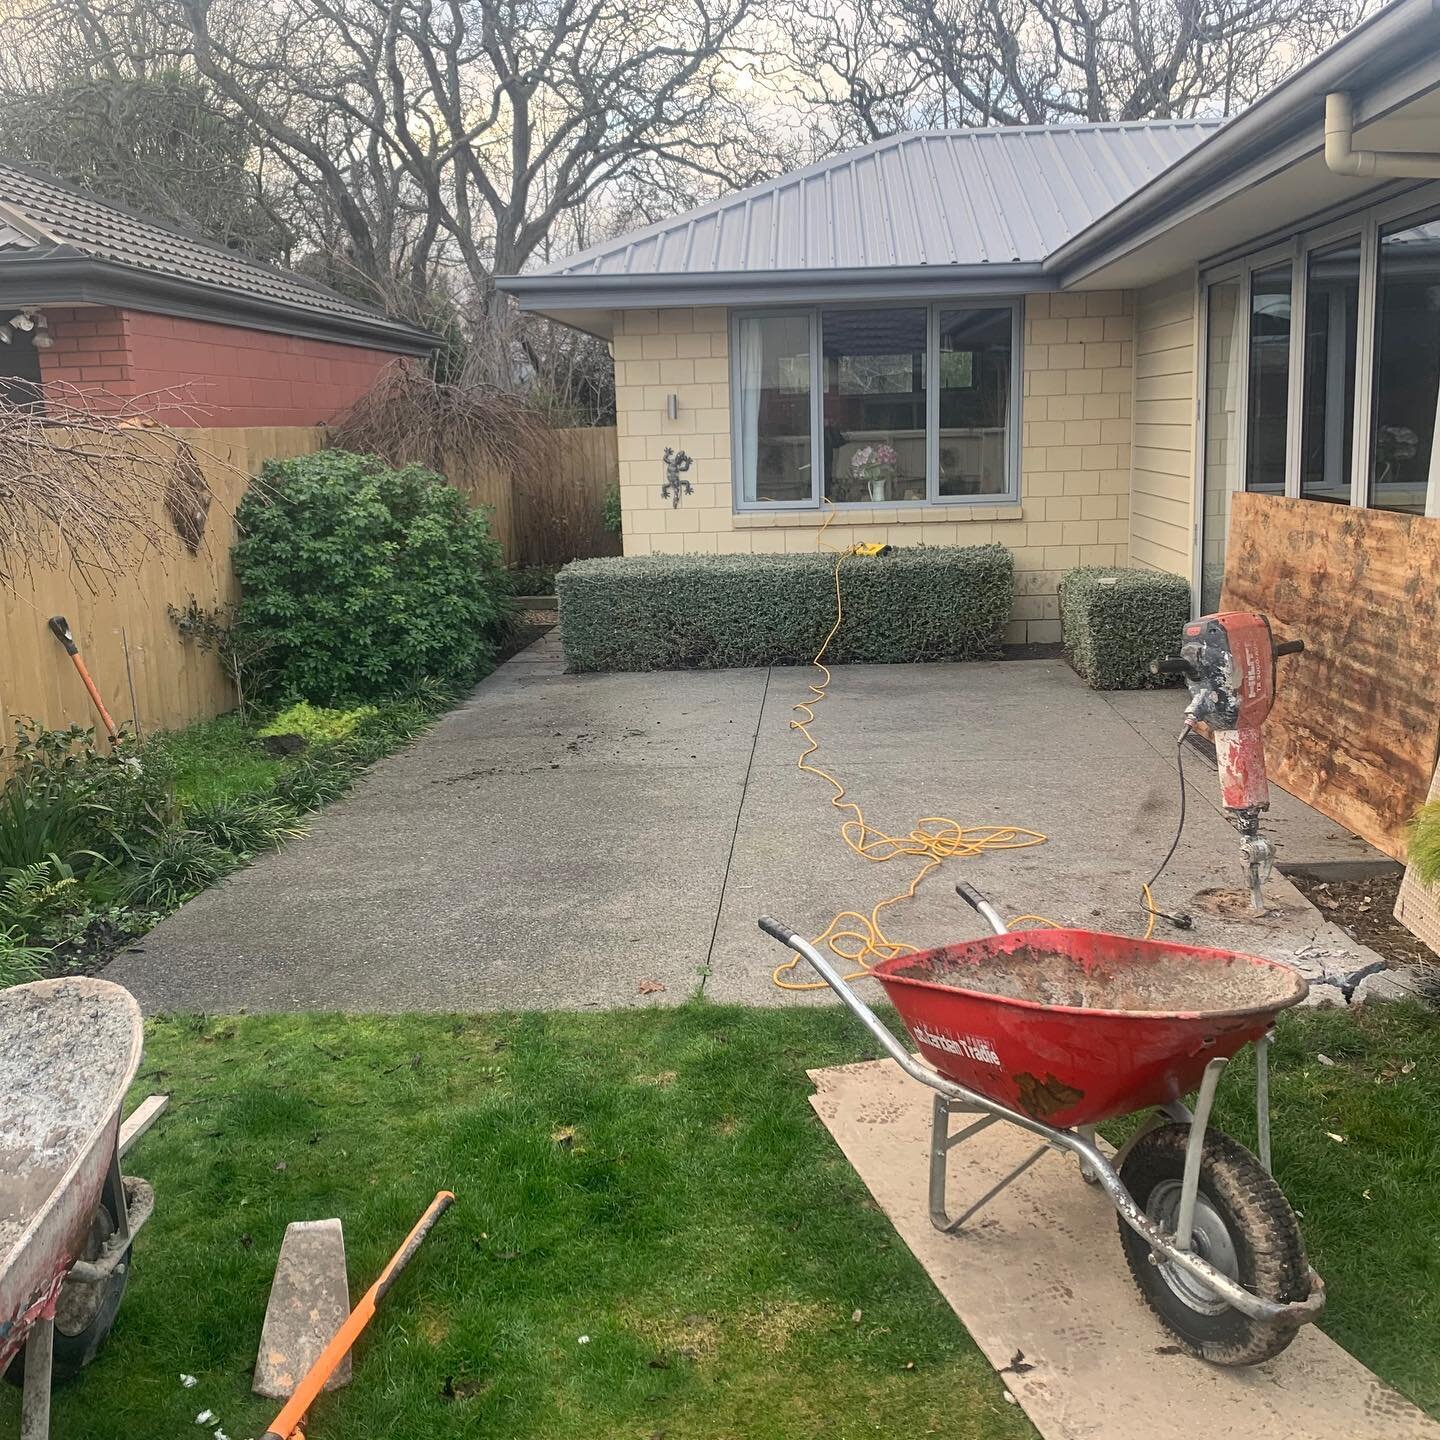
(654,1182)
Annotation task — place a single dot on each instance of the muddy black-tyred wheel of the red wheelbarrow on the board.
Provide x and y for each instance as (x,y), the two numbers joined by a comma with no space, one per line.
(1243,1226)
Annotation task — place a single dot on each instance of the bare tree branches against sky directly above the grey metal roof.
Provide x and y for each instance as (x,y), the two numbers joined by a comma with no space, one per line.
(909,64)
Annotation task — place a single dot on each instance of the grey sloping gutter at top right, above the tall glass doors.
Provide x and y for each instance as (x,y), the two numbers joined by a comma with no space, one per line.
(1390,37)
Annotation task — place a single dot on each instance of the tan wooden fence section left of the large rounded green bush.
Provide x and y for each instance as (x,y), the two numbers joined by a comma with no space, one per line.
(172,682)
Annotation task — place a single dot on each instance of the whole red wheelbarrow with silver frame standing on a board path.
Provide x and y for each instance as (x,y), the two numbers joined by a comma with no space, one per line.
(1059,1032)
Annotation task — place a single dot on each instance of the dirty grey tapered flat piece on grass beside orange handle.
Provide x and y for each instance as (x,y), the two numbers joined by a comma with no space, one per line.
(309,1302)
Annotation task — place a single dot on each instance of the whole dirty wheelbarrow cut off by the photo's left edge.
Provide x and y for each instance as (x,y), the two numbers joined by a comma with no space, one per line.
(68,1052)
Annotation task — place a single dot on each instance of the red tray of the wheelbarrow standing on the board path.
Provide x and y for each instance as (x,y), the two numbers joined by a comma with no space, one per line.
(1075,1027)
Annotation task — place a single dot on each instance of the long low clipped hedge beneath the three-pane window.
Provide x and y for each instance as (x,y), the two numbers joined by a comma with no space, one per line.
(721,611)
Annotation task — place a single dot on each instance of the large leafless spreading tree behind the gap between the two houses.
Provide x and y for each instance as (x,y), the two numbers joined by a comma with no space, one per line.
(473,126)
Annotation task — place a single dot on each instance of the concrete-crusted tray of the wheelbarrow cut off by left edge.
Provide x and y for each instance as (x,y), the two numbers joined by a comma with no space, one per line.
(68,1052)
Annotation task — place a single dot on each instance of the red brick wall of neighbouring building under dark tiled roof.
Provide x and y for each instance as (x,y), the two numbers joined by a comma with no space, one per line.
(234,377)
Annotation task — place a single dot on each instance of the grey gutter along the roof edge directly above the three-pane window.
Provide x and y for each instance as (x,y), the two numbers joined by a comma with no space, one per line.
(774,287)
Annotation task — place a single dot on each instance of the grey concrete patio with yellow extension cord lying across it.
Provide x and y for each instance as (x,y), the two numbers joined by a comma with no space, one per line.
(561,839)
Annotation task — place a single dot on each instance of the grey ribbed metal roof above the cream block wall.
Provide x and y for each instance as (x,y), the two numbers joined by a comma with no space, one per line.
(934,198)
